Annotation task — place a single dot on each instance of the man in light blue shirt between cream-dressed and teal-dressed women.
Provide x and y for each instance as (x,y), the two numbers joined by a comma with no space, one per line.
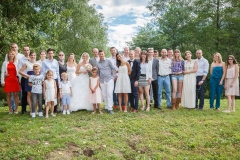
(201,75)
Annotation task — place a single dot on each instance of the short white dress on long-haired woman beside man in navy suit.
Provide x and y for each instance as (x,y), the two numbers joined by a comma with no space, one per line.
(123,84)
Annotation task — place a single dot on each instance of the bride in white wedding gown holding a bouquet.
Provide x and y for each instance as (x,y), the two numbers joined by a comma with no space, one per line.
(80,86)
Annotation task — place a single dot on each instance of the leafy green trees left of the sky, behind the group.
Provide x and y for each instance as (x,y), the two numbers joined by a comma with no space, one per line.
(70,26)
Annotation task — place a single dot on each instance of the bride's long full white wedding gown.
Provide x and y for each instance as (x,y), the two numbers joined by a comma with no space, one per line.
(80,91)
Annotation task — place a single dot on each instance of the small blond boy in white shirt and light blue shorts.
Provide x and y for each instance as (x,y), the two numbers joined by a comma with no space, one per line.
(65,92)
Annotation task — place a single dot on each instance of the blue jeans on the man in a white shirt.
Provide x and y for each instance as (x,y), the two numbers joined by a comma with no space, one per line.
(164,81)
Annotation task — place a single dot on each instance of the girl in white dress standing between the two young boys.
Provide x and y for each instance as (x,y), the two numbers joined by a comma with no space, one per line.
(49,92)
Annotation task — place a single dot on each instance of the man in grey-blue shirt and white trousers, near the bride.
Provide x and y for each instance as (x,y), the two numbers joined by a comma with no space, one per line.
(106,72)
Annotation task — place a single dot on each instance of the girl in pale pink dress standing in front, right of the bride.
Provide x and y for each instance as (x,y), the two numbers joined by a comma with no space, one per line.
(95,92)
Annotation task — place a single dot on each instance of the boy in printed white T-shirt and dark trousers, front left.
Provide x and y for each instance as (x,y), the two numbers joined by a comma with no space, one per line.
(36,80)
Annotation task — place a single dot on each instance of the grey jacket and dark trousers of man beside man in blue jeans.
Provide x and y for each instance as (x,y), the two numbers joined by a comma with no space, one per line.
(155,69)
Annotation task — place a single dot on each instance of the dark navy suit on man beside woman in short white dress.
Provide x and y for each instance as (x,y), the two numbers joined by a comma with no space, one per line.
(134,76)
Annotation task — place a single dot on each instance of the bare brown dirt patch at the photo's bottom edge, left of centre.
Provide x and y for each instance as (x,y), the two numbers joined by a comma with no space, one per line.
(72,150)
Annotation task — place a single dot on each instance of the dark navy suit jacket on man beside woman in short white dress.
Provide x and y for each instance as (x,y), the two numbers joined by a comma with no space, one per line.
(135,71)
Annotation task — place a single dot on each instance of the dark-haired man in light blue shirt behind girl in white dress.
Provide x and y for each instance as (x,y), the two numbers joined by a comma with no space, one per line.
(51,64)
